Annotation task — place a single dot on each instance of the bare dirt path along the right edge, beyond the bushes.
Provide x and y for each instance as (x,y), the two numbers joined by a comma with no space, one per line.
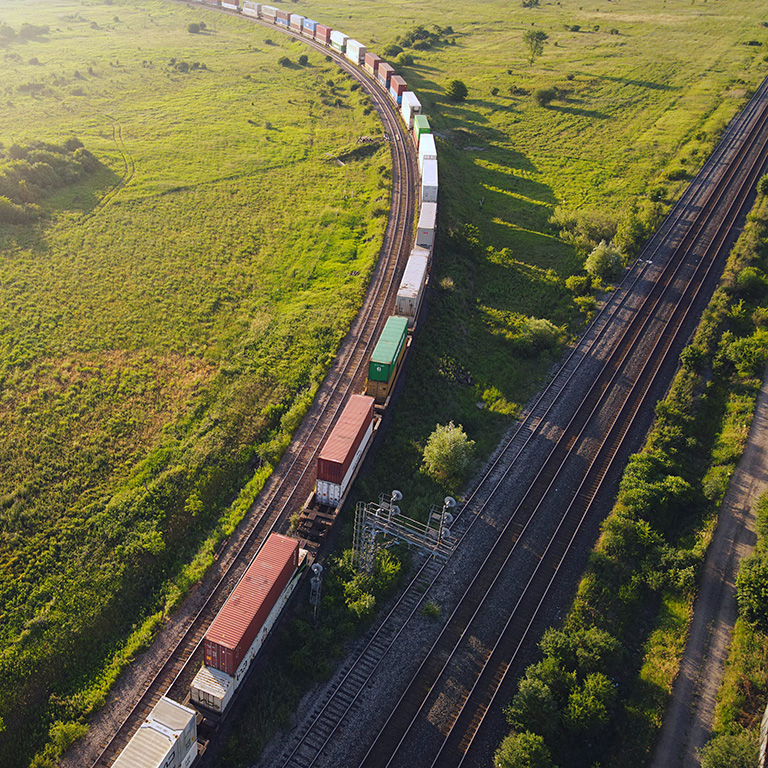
(690,714)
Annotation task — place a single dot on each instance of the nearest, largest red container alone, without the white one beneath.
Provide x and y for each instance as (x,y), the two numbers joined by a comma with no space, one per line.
(235,627)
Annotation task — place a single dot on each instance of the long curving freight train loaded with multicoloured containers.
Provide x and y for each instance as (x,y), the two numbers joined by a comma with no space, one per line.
(168,736)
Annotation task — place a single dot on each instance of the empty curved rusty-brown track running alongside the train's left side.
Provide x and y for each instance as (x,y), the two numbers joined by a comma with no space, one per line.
(292,480)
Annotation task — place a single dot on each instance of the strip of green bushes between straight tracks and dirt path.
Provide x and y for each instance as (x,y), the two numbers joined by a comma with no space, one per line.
(599,695)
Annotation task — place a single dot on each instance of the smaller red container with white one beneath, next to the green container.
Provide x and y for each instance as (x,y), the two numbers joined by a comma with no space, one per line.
(343,449)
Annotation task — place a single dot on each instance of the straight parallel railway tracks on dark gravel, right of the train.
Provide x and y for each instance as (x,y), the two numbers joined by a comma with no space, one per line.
(630,349)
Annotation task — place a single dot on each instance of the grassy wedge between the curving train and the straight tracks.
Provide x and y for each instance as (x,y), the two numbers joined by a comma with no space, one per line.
(645,107)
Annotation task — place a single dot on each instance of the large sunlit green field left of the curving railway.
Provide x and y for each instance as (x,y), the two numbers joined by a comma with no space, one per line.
(165,323)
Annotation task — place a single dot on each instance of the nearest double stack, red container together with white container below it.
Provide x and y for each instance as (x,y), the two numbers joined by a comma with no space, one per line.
(239,630)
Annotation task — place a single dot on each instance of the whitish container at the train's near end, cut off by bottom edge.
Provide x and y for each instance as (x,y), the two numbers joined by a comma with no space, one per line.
(166,739)
